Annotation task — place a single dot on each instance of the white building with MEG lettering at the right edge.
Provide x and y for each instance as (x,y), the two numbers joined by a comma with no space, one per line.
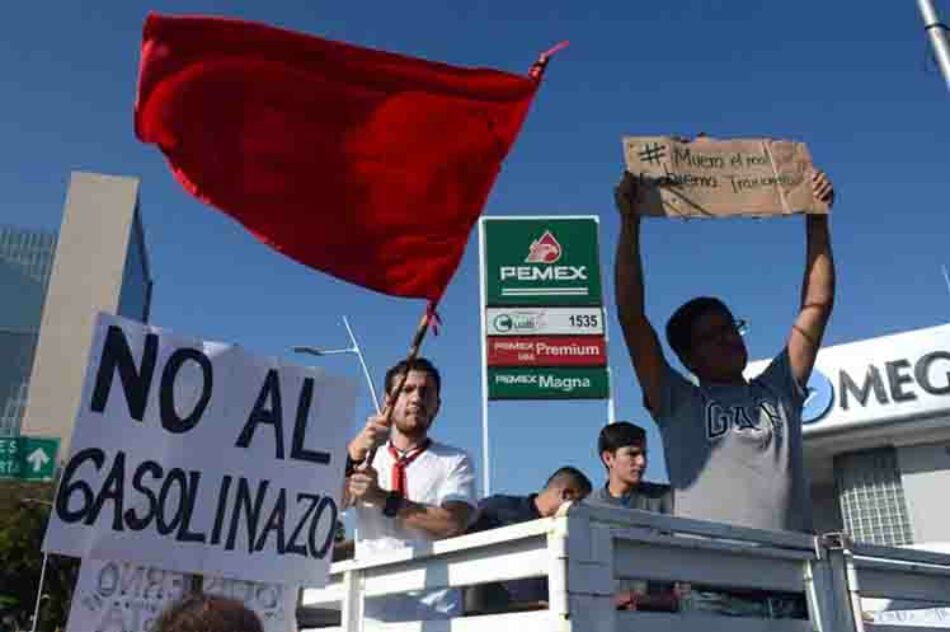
(877,438)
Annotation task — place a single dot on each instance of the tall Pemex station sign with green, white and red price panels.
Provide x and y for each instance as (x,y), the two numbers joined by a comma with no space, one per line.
(542,308)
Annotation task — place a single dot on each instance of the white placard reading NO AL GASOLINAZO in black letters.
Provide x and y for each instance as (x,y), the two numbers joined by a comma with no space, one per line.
(199,457)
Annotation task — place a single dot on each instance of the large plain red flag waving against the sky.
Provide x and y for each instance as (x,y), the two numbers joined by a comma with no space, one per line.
(364,164)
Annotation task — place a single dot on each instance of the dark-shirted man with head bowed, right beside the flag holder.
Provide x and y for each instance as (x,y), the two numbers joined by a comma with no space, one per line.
(566,484)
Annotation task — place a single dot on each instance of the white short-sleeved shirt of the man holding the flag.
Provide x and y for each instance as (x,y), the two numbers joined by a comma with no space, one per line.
(440,474)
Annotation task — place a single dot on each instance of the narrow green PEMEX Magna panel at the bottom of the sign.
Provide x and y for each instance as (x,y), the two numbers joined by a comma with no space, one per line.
(547,383)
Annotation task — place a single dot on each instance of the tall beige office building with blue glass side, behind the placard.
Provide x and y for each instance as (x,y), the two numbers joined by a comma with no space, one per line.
(100,264)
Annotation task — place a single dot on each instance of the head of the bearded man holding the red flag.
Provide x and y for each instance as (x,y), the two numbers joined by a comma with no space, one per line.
(416,406)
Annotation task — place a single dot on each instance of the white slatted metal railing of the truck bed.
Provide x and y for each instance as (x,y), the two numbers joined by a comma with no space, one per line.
(587,552)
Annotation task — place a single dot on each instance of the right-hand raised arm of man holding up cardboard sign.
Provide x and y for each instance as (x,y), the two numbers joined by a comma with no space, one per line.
(818,288)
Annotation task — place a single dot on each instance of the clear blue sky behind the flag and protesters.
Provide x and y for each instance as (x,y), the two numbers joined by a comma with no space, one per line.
(859,87)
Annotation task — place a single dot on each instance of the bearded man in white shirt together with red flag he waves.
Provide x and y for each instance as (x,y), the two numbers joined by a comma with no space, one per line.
(338,156)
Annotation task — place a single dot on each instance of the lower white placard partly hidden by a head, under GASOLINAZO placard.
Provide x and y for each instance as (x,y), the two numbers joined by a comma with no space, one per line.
(123,597)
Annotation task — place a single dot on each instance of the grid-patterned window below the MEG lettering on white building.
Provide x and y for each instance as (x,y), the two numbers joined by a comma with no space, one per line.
(871,497)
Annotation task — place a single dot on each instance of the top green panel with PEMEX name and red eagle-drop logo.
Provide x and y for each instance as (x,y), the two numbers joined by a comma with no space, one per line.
(541,261)
